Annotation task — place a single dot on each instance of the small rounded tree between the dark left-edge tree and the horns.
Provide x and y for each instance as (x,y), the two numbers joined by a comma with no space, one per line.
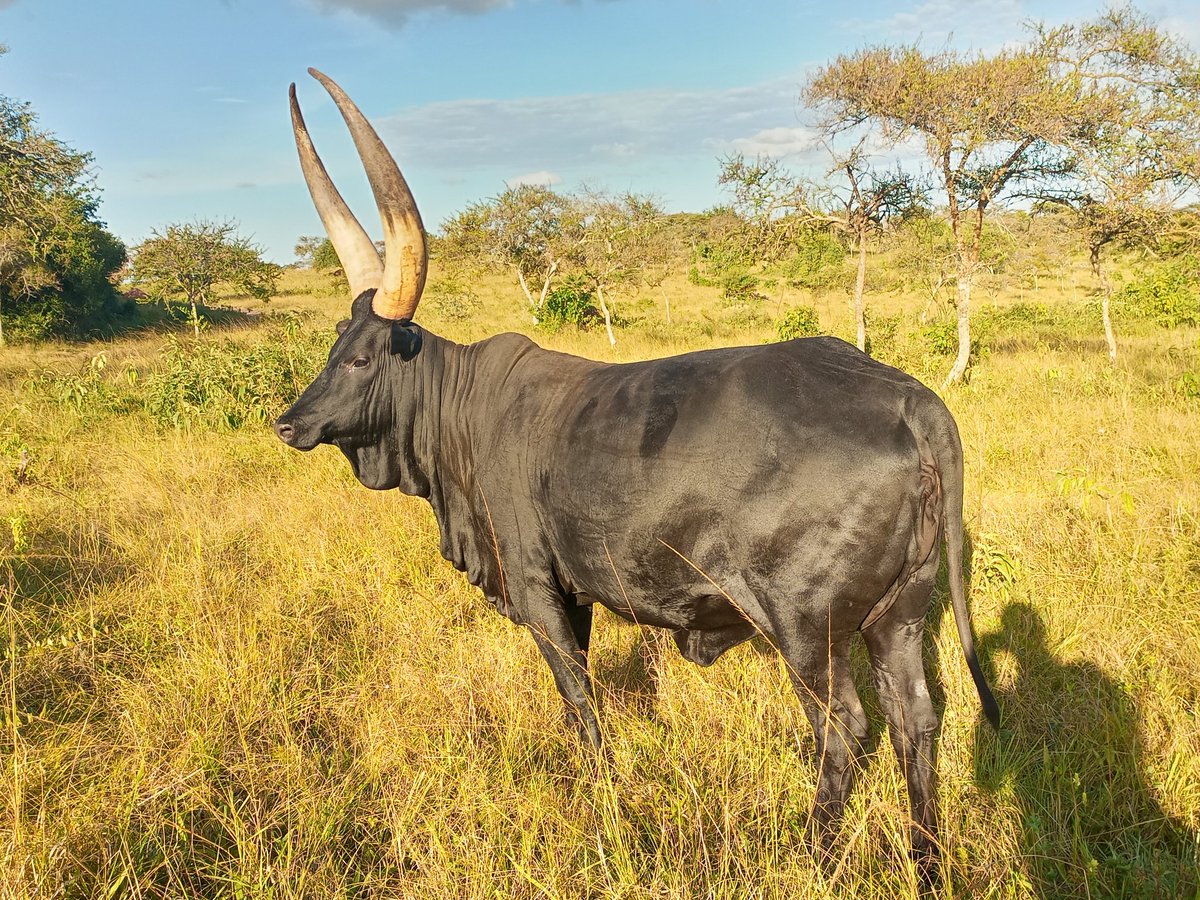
(190,260)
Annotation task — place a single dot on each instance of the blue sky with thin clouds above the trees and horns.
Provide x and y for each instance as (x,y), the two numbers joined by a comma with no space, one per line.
(184,103)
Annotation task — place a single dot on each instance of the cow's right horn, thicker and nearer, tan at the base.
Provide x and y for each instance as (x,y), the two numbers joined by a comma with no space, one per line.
(406,256)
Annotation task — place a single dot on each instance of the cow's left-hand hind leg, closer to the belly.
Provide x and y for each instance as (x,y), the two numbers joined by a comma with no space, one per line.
(821,675)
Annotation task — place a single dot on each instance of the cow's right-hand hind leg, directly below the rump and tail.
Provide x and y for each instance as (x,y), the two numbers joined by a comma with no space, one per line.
(895,644)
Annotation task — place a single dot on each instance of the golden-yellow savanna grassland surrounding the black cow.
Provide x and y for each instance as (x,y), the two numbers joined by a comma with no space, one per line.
(231,671)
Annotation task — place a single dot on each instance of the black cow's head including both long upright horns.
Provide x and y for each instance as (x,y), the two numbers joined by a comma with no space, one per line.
(357,403)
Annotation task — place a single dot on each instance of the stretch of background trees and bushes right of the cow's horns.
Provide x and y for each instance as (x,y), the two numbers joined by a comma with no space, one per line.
(1094,130)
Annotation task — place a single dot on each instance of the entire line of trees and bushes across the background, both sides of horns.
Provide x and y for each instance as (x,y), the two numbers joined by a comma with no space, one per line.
(1094,130)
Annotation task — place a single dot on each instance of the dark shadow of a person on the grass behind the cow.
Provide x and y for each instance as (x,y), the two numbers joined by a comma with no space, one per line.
(1071,753)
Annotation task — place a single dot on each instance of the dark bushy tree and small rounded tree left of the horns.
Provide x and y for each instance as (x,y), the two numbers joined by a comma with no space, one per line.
(61,268)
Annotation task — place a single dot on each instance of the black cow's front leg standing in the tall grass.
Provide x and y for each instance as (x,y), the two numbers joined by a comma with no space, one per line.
(563,634)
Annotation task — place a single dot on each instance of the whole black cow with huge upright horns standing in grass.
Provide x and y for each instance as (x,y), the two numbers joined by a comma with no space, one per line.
(795,490)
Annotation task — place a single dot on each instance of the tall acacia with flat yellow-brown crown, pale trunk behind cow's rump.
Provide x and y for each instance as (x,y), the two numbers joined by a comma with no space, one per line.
(989,125)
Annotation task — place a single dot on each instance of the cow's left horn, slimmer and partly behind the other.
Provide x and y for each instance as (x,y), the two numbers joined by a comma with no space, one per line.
(359,259)
